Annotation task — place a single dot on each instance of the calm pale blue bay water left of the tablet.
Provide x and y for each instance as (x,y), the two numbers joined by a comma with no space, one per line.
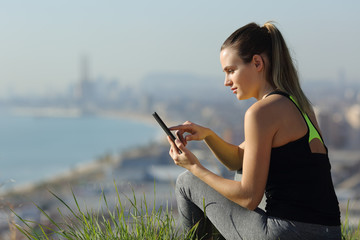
(35,148)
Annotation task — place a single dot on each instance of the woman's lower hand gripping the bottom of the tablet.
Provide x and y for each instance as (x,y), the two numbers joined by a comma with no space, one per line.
(186,158)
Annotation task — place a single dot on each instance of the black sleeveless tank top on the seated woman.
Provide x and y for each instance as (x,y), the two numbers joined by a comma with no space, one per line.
(299,185)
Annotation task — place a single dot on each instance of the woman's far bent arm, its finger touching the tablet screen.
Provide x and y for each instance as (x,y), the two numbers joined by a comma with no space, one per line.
(230,155)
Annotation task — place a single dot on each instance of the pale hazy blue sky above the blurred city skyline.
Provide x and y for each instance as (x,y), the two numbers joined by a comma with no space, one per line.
(42,41)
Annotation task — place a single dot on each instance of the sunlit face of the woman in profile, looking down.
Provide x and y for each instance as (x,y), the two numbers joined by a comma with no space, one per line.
(239,76)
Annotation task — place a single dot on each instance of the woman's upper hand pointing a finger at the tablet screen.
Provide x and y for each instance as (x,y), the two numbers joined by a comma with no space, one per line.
(194,132)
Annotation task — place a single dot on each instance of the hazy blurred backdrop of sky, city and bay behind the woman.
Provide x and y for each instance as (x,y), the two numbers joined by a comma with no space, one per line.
(80,79)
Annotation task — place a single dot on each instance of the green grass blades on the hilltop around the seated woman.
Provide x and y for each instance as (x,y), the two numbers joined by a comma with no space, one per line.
(137,221)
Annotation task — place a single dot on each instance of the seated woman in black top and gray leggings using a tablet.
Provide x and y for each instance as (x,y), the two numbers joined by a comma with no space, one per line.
(283,154)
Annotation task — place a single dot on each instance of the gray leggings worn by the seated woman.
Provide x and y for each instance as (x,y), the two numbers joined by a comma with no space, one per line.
(234,221)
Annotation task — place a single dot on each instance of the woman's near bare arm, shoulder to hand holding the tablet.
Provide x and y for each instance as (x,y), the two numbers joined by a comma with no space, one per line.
(259,132)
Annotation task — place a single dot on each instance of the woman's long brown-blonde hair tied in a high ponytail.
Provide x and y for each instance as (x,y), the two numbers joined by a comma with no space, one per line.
(252,39)
